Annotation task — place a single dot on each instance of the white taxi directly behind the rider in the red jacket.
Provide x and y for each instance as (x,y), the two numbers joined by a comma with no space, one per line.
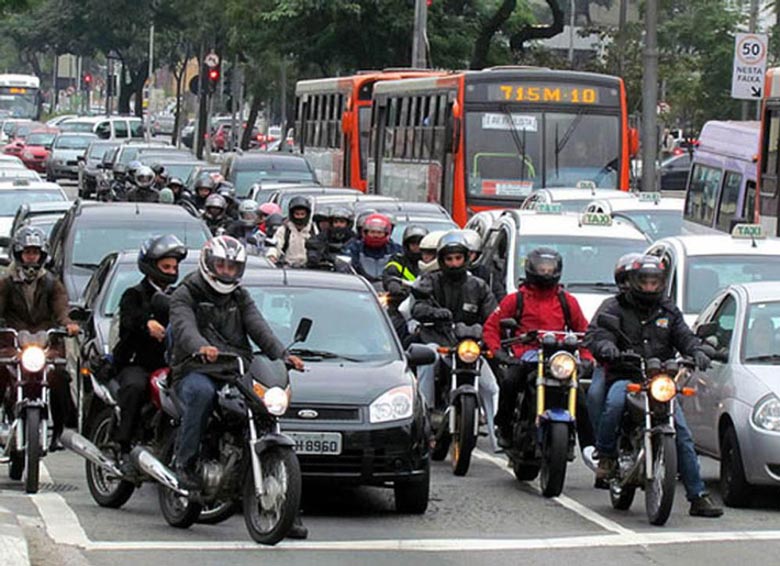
(589,243)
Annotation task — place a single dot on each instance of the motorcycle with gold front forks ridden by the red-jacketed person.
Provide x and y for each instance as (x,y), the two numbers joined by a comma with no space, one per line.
(544,419)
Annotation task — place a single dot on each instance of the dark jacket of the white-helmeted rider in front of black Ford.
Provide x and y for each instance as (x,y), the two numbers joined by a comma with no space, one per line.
(202,317)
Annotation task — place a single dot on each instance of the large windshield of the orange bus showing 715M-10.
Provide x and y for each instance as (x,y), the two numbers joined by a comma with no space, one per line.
(511,153)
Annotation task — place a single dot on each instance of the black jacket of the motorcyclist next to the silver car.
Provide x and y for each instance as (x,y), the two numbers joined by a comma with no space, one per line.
(657,333)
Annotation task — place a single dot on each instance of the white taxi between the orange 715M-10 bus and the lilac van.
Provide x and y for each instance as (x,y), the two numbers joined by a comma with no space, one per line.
(656,216)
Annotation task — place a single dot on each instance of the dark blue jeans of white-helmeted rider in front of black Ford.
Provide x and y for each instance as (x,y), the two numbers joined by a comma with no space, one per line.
(196,393)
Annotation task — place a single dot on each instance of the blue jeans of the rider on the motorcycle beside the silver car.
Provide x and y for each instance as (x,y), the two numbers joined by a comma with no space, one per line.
(687,461)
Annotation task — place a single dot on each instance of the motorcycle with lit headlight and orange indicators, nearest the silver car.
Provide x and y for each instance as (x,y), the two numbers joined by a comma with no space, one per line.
(647,451)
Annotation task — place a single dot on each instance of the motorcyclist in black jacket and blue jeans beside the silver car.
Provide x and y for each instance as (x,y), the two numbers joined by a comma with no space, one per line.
(653,327)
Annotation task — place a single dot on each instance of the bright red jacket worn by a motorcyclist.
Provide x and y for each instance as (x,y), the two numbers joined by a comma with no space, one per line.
(541,311)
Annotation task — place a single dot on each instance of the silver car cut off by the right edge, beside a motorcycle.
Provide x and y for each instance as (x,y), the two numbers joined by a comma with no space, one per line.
(735,414)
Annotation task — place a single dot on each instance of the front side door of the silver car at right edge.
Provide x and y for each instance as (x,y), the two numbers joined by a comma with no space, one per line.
(703,410)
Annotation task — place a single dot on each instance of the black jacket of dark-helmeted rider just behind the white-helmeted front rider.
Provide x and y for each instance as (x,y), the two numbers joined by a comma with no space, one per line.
(136,346)
